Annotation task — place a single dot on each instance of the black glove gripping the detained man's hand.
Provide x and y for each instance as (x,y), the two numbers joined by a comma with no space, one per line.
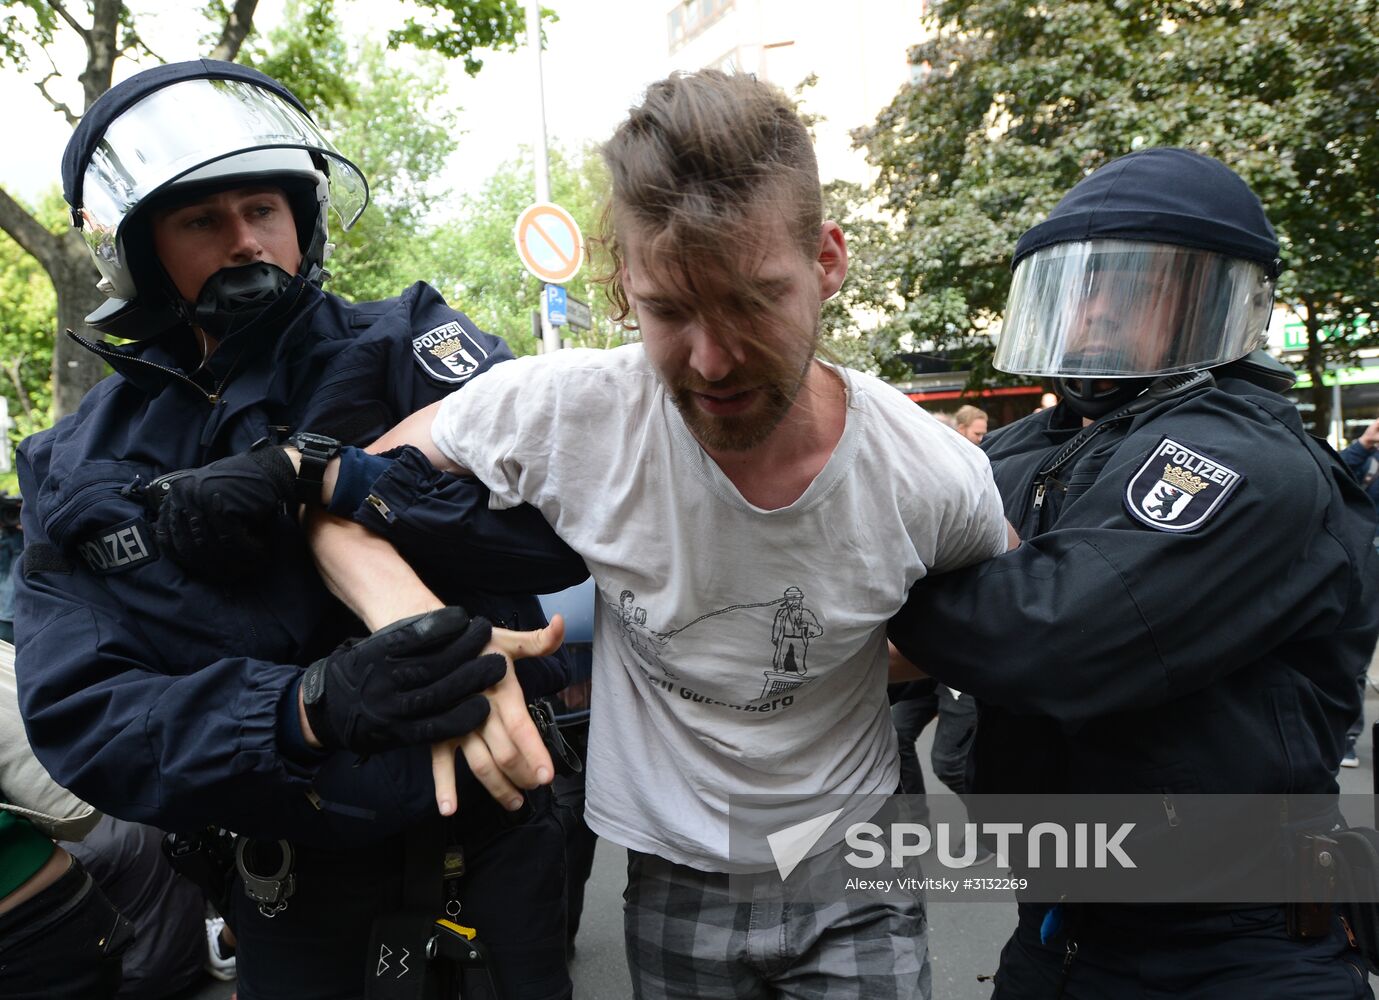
(413,682)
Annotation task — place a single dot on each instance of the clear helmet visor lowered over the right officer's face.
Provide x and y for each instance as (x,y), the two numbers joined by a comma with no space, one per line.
(1122,308)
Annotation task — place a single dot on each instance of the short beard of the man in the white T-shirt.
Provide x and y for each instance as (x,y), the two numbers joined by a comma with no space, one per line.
(777,384)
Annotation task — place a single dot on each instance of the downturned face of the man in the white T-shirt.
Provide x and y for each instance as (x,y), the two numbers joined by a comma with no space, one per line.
(736,373)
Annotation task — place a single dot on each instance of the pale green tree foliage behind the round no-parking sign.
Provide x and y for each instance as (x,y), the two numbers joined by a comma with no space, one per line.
(475,260)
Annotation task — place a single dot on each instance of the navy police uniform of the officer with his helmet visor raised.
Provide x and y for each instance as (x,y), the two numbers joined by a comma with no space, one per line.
(172,700)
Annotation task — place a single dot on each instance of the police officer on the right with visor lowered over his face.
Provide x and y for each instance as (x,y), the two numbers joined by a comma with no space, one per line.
(1195,591)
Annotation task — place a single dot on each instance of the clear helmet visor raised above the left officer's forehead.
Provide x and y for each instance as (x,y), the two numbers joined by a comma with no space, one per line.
(185,126)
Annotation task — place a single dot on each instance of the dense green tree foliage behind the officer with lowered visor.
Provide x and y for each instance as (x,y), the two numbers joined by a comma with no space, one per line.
(1021,101)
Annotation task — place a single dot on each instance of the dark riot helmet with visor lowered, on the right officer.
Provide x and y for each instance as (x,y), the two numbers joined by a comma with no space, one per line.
(1159,263)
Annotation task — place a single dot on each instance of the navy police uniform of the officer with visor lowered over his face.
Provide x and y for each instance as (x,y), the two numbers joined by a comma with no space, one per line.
(1130,649)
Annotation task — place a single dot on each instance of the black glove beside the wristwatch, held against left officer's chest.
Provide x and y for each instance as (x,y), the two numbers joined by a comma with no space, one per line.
(210,521)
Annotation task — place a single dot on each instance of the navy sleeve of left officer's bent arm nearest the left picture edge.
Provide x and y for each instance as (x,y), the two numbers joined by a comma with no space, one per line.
(136,701)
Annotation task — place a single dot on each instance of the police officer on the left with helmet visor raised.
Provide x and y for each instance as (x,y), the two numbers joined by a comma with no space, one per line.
(234,692)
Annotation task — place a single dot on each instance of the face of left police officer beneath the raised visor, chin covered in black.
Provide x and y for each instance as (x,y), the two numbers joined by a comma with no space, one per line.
(238,227)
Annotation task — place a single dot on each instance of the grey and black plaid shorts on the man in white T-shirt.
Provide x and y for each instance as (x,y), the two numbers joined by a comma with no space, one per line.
(687,939)
